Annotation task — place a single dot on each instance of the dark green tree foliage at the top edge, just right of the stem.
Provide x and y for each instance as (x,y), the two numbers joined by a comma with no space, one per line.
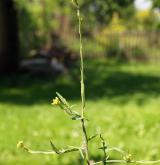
(103,11)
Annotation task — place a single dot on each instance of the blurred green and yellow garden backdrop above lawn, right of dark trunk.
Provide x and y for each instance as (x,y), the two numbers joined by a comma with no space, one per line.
(109,26)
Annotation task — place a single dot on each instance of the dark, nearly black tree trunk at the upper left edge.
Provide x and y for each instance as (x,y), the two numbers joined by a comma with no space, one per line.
(9,45)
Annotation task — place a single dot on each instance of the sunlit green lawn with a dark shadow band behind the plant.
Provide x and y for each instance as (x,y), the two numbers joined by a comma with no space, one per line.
(123,102)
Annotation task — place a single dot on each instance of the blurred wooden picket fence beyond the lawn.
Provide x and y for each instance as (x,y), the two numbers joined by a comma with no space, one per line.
(132,45)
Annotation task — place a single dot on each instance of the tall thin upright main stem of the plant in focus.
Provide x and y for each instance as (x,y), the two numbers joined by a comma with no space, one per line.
(85,137)
